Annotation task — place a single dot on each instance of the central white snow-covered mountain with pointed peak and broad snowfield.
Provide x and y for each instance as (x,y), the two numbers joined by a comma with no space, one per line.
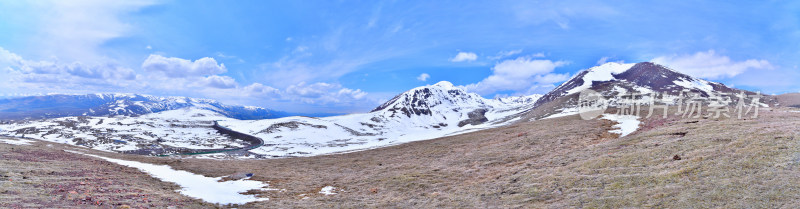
(421,113)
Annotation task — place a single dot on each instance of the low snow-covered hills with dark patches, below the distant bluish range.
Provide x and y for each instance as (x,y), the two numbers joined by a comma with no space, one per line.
(183,128)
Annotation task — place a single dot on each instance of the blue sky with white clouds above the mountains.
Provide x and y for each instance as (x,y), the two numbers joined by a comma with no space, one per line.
(348,56)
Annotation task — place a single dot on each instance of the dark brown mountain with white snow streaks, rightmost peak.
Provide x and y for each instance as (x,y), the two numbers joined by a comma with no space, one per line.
(615,79)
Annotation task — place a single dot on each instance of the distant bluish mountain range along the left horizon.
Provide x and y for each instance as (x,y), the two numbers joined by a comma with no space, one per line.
(60,105)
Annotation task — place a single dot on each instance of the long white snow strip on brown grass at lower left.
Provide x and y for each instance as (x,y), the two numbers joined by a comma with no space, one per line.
(197,186)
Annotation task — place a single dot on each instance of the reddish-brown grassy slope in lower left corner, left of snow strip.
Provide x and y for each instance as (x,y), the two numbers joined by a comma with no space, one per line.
(42,176)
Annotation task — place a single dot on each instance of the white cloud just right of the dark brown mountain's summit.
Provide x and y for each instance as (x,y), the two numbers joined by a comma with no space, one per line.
(711,65)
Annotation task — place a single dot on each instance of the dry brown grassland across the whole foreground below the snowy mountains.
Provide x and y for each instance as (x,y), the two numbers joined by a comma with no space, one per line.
(553,163)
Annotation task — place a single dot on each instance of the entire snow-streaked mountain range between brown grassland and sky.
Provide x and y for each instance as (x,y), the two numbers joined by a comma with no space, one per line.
(420,113)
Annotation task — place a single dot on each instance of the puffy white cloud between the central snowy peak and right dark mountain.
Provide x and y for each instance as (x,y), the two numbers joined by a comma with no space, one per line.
(522,75)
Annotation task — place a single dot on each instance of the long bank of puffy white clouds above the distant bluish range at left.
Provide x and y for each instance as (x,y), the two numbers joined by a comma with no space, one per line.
(162,75)
